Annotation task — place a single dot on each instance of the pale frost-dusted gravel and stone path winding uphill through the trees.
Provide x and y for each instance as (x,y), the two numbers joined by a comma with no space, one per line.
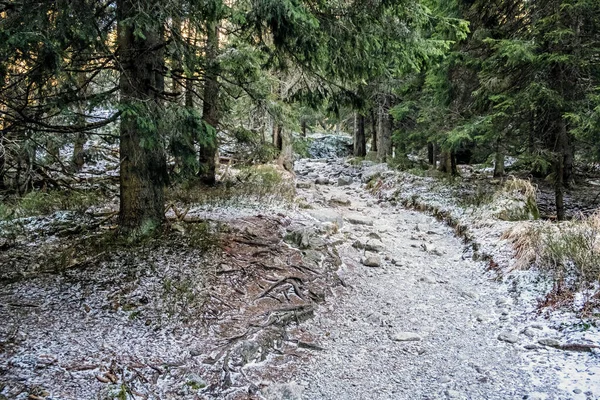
(428,322)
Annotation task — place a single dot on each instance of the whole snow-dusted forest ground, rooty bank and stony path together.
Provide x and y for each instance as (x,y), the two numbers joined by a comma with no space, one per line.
(340,294)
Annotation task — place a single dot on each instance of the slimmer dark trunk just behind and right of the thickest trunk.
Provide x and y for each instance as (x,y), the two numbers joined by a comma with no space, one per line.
(210,114)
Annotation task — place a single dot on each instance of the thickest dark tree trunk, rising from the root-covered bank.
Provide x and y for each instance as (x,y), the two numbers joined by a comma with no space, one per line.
(143,169)
